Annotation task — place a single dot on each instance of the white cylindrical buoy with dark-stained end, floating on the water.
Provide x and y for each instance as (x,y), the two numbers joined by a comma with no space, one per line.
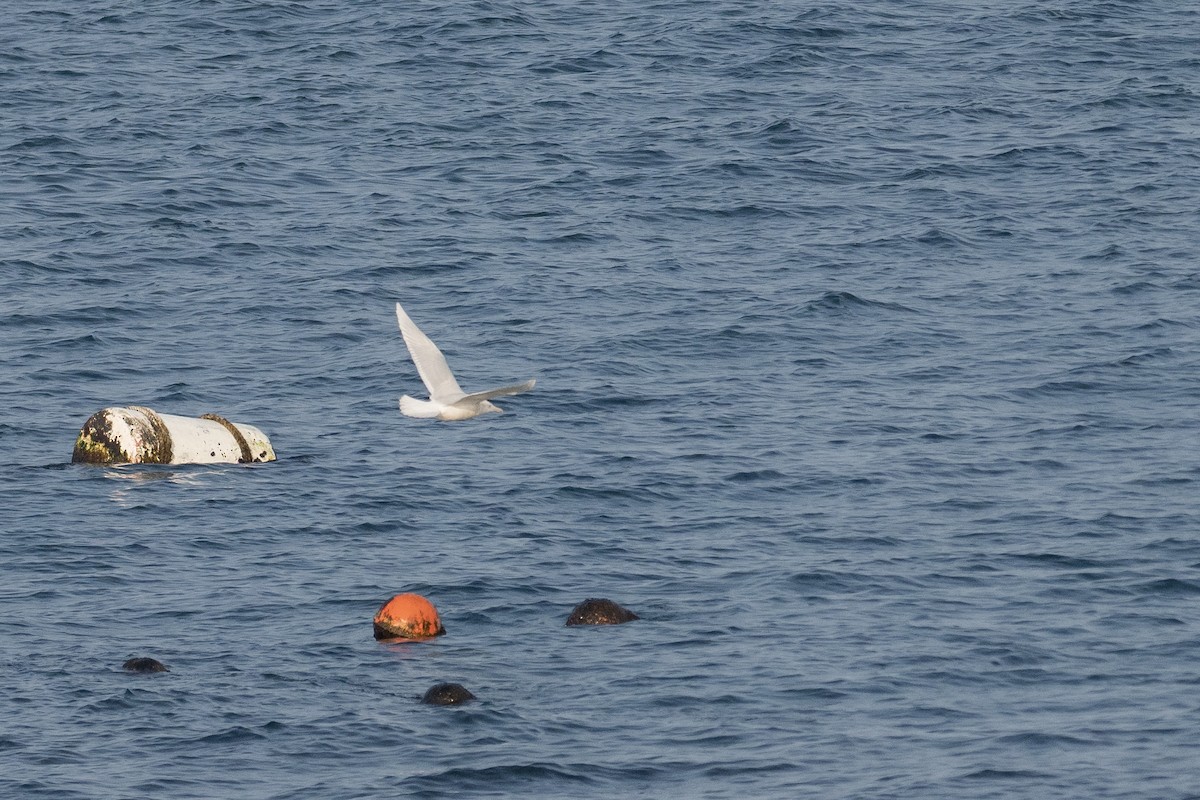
(135,435)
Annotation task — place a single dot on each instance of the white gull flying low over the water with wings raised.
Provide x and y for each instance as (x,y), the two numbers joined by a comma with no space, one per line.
(447,400)
